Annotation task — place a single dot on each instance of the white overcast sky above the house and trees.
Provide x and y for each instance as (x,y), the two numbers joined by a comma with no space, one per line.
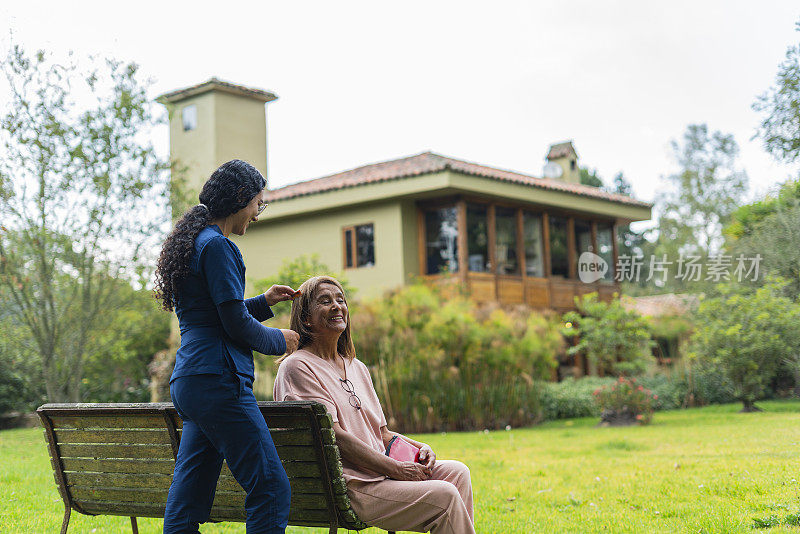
(495,83)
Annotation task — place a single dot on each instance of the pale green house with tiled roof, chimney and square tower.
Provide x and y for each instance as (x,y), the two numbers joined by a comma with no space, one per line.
(506,236)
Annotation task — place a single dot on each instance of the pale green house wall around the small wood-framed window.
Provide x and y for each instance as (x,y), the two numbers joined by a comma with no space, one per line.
(268,244)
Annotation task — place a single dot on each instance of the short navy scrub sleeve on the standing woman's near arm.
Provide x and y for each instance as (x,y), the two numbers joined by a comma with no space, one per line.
(223,268)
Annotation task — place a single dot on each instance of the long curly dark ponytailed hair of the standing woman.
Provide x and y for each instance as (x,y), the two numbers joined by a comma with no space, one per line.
(230,188)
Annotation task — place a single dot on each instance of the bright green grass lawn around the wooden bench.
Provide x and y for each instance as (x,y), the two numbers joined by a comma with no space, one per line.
(701,470)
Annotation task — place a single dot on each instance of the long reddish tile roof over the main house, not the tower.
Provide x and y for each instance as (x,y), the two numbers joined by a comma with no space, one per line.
(427,163)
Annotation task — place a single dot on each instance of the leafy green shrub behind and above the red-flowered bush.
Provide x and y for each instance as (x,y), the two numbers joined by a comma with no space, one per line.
(615,340)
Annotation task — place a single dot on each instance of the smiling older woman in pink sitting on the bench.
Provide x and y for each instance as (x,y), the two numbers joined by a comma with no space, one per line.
(432,495)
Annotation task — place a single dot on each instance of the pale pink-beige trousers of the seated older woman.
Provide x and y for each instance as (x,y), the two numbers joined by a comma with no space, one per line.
(440,505)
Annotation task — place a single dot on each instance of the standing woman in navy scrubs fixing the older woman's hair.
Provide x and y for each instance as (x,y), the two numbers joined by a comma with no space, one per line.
(200,275)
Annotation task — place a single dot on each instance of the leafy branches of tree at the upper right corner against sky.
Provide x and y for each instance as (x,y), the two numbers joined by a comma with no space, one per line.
(780,127)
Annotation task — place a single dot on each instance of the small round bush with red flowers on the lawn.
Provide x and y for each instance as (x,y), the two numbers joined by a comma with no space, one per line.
(625,403)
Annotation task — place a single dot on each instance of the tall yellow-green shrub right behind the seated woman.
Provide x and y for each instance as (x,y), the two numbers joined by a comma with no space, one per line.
(447,364)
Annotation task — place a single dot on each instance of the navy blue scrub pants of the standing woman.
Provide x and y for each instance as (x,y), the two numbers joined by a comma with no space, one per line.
(221,420)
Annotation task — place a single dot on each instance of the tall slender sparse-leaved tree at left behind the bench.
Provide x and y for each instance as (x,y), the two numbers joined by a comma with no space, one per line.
(83,198)
